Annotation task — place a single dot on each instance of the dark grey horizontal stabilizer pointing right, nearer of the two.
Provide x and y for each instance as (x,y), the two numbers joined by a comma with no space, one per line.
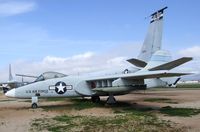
(172,64)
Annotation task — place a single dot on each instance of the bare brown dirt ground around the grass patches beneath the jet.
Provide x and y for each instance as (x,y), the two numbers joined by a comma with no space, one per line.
(16,115)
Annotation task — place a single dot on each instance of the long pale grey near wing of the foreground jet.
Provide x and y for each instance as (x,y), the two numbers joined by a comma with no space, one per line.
(140,75)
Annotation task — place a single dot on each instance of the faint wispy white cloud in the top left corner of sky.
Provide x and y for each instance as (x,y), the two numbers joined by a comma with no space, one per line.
(9,8)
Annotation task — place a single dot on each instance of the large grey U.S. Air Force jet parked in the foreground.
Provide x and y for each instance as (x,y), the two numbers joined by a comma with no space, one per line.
(153,69)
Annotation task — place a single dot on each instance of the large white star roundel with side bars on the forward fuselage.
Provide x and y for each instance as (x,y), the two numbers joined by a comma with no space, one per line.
(60,87)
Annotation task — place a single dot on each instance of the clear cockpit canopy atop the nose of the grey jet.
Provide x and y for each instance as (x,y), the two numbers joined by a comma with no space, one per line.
(49,75)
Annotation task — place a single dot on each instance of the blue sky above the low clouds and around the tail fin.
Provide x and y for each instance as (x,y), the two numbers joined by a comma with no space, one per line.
(32,30)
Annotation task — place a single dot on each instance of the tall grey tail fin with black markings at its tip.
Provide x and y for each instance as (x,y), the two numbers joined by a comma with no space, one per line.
(153,39)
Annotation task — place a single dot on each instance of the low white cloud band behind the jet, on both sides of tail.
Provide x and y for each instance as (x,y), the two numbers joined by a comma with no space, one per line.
(81,63)
